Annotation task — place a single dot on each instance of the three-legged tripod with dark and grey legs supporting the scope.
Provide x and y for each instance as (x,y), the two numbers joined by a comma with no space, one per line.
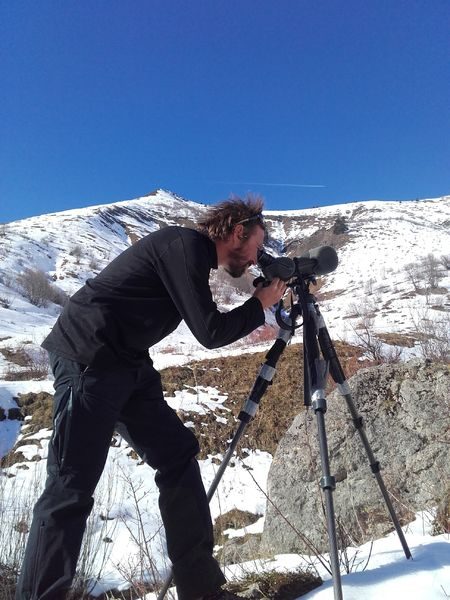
(320,359)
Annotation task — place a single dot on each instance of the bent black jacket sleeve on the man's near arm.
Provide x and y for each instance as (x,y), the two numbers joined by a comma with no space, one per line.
(184,270)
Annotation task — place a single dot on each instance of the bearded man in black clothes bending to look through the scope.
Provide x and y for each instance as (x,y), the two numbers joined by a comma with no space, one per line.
(105,381)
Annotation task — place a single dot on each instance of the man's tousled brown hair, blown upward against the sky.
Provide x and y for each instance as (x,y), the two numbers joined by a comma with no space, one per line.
(220,219)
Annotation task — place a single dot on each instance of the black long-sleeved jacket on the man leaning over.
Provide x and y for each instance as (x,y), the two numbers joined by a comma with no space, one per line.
(142,296)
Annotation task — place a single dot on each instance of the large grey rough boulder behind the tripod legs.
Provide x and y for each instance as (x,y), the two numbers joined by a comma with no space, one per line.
(406,412)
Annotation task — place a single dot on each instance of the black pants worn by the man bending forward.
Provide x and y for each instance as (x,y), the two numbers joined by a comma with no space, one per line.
(89,405)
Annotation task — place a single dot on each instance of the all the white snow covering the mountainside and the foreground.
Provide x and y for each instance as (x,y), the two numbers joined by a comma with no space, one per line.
(383,238)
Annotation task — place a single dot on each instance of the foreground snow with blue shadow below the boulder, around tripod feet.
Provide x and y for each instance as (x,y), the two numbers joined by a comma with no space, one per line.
(380,568)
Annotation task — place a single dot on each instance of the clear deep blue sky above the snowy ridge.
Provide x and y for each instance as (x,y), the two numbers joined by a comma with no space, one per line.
(106,100)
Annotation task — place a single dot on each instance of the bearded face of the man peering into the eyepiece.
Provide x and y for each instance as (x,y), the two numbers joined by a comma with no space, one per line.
(243,252)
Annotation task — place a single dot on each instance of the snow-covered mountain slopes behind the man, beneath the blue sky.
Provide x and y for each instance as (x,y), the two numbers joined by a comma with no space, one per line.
(375,241)
